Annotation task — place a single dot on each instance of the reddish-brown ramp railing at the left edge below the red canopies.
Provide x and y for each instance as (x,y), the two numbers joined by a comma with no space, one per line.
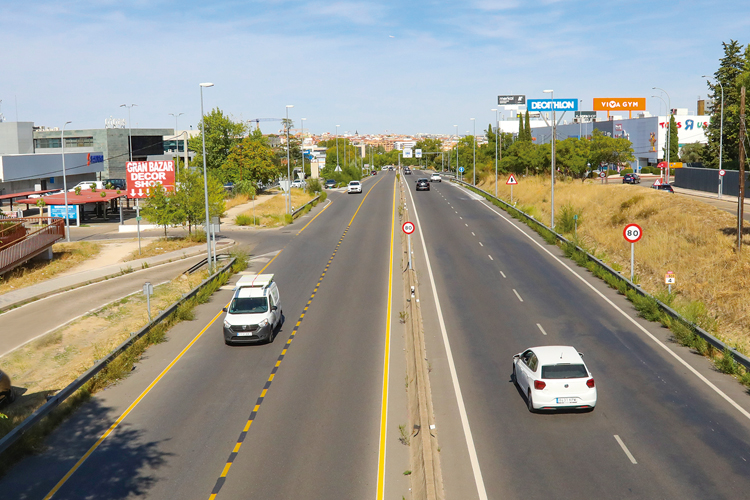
(35,239)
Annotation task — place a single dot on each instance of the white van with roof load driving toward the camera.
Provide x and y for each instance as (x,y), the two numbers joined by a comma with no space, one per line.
(254,315)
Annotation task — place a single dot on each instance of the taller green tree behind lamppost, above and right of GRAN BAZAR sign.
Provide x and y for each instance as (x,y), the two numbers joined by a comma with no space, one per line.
(222,134)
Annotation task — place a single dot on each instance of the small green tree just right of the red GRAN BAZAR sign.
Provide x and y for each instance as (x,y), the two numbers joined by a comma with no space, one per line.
(190,197)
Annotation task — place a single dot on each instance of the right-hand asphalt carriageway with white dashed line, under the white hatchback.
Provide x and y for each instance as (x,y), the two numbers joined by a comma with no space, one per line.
(500,292)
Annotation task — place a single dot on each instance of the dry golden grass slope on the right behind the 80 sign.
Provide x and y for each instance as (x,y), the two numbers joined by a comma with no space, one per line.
(693,239)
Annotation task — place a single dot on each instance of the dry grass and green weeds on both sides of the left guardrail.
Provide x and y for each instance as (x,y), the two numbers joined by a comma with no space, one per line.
(48,364)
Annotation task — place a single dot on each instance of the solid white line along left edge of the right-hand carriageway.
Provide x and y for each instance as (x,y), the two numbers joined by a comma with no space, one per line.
(481,491)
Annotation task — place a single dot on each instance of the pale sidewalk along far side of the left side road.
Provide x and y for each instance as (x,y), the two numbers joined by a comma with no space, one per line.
(69,281)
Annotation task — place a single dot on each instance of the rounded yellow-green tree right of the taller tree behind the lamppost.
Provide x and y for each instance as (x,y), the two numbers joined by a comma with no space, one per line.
(252,159)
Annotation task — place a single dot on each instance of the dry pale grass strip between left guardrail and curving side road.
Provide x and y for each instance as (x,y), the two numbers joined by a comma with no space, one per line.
(50,363)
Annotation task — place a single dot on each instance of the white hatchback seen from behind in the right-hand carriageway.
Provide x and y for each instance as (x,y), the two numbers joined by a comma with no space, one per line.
(554,377)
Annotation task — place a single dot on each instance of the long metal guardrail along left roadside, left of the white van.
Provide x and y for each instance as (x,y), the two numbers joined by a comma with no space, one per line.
(71,388)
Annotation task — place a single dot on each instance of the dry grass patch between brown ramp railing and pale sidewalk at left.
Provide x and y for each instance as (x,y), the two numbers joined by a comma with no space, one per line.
(65,257)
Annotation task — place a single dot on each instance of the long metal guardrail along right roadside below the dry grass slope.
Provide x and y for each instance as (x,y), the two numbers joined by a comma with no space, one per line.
(710,339)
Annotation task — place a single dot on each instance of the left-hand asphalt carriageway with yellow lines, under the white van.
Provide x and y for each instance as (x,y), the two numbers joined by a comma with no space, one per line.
(322,414)
